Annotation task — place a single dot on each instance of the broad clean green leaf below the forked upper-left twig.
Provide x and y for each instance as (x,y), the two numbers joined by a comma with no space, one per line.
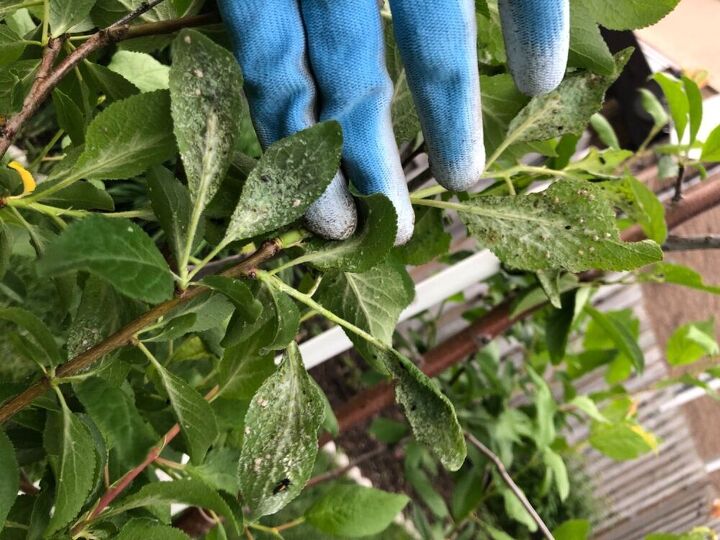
(127,138)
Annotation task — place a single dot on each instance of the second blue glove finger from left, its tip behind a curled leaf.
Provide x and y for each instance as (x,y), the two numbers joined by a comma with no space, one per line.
(346,50)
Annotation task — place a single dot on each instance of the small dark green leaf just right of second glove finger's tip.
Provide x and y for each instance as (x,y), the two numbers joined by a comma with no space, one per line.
(429,239)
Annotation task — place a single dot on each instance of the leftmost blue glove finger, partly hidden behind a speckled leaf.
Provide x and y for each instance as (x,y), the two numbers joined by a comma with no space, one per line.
(269,43)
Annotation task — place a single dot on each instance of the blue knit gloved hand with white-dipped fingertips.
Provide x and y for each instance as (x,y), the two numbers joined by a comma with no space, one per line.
(312,60)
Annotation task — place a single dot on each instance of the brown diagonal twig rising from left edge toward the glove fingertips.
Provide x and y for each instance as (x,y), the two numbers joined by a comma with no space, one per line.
(123,336)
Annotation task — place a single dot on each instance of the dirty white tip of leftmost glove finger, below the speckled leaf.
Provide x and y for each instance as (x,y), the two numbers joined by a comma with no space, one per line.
(333,216)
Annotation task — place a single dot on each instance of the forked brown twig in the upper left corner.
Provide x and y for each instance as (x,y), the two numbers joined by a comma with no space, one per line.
(47,78)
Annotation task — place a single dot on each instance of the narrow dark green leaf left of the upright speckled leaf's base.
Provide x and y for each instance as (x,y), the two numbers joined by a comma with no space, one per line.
(171,204)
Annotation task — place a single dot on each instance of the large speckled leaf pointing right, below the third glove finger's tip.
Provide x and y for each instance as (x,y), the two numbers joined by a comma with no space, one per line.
(570,225)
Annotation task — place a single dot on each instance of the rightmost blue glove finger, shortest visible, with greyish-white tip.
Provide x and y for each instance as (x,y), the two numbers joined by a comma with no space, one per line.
(537,40)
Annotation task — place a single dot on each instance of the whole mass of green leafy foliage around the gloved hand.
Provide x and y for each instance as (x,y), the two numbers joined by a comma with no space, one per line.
(151,171)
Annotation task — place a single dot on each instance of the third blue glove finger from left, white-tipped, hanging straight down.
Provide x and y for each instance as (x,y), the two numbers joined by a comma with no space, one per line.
(437,43)
